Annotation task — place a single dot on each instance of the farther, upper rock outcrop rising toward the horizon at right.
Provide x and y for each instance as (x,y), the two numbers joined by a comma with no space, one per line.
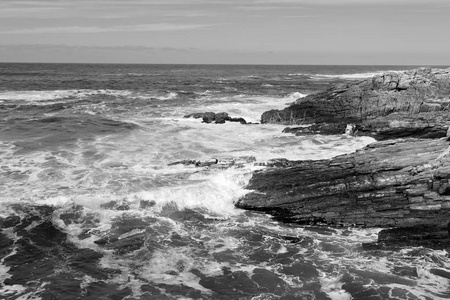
(414,103)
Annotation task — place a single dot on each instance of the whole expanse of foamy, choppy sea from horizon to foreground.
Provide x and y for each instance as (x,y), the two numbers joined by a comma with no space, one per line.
(91,206)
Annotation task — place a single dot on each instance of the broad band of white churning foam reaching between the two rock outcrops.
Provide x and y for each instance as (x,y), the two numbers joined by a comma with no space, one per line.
(138,162)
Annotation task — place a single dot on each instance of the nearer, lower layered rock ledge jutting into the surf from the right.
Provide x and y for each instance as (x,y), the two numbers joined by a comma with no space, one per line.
(393,183)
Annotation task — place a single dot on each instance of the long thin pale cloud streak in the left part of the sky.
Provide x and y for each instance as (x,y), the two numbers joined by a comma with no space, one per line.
(126,28)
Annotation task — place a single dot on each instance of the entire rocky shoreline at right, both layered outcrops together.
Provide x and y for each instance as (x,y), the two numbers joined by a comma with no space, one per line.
(401,182)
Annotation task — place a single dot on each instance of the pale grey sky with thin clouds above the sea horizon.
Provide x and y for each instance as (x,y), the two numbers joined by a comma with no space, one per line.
(374,32)
